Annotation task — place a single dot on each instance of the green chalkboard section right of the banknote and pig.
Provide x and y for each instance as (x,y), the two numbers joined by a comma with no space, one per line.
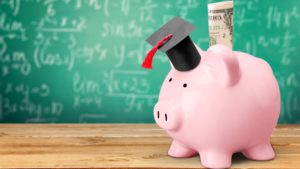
(271,30)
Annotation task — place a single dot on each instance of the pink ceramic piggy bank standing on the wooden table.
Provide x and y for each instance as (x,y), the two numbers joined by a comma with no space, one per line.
(229,103)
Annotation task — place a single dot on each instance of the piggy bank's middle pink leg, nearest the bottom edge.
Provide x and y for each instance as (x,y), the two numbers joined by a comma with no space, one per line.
(216,158)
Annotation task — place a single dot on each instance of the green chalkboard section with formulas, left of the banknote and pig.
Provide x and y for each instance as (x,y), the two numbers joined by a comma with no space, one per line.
(78,61)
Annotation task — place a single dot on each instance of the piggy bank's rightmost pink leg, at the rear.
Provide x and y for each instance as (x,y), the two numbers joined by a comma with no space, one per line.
(260,152)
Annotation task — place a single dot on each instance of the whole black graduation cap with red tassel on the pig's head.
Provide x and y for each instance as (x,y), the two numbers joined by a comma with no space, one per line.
(173,39)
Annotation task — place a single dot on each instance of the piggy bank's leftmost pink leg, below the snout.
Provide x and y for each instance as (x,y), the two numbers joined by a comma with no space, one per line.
(179,150)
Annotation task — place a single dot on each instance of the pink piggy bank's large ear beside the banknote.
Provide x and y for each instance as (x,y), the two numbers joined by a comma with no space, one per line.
(224,64)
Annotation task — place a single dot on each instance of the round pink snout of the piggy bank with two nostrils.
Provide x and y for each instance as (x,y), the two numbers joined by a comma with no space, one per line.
(167,115)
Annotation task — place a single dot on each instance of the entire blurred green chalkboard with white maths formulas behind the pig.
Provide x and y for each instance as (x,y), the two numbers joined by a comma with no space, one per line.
(78,61)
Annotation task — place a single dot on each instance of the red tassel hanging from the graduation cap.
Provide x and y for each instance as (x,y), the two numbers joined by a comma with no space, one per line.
(147,64)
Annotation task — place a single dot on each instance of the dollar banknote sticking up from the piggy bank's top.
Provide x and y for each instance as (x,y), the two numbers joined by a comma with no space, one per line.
(220,23)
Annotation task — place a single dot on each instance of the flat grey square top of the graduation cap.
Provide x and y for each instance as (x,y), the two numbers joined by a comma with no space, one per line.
(178,27)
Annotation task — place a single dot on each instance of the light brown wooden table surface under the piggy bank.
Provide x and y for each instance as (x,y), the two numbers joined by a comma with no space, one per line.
(118,146)
